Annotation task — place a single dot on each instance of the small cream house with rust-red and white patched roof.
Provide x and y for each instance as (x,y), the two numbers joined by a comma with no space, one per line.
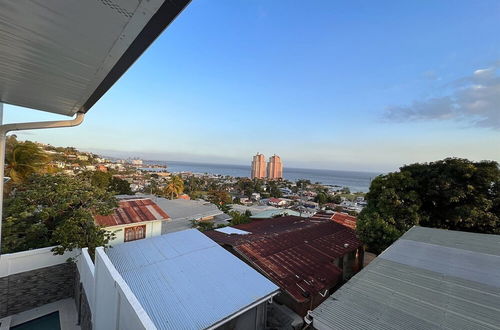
(133,219)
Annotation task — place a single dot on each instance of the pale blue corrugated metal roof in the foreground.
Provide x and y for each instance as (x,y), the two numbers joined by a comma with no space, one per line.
(184,280)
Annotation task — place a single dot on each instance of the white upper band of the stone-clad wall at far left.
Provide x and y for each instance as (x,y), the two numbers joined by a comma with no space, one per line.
(14,263)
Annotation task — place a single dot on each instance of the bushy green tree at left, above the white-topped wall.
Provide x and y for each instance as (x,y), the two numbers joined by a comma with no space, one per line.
(55,210)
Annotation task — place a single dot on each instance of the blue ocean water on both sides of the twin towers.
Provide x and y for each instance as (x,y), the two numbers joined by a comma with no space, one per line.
(355,181)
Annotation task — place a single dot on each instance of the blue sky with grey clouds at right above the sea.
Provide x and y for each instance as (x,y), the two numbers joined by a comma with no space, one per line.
(354,85)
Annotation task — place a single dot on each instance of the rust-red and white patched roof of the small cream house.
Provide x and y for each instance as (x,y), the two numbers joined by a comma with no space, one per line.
(132,211)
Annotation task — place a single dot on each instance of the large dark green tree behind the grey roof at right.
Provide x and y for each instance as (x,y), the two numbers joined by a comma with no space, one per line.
(455,194)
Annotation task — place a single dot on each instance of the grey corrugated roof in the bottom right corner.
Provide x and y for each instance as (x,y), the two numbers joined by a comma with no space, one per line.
(416,284)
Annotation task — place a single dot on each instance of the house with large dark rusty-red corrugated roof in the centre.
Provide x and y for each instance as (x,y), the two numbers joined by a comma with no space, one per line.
(307,259)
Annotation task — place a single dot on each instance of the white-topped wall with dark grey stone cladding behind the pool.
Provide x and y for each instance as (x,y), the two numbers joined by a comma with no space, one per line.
(33,278)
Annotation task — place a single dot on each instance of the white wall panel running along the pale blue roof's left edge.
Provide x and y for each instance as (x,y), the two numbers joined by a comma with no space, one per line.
(116,307)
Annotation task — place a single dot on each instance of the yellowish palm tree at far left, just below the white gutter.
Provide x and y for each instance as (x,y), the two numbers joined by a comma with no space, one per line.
(23,159)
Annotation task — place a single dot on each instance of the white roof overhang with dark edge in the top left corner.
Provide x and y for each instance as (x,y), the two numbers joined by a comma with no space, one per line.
(62,56)
